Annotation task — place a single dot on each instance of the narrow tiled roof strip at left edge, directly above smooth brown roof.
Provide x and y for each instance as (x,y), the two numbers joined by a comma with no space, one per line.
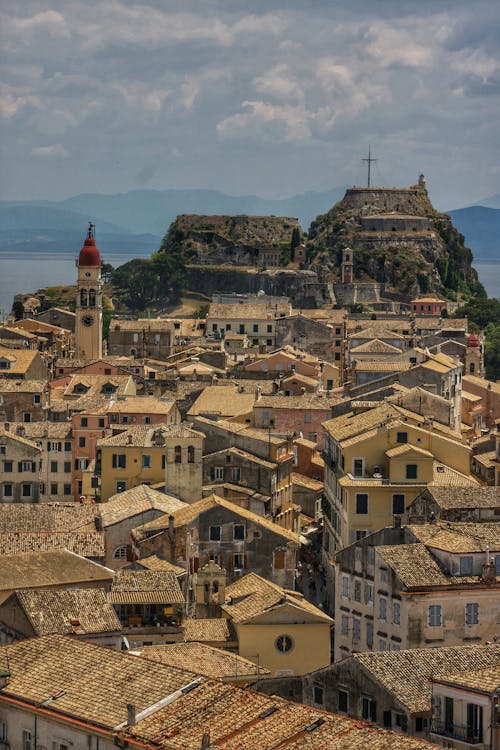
(86,543)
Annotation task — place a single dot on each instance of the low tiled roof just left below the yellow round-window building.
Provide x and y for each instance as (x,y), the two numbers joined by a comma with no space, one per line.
(203,659)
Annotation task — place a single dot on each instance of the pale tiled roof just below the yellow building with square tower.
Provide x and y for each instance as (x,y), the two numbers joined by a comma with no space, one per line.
(135,501)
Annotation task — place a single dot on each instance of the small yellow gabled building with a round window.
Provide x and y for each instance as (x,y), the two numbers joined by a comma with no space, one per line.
(276,628)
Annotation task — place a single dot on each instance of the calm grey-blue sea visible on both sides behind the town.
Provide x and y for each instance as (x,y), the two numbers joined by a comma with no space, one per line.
(27,272)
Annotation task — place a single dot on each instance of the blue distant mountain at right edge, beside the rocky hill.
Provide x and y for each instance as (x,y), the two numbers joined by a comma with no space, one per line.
(480,226)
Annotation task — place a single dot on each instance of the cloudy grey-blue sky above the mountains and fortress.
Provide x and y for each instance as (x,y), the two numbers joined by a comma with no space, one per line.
(268,97)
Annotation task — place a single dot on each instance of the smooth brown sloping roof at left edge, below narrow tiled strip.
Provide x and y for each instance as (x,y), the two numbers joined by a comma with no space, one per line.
(60,567)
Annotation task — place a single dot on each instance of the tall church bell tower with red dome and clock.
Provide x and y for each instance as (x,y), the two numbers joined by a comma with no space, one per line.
(88,328)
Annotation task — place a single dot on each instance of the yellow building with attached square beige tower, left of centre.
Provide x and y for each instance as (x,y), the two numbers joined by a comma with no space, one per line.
(151,454)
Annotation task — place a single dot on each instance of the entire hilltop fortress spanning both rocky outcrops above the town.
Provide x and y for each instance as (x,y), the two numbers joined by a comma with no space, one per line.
(400,247)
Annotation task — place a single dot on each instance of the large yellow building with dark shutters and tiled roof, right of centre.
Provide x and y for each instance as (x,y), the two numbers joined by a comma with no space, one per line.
(377,462)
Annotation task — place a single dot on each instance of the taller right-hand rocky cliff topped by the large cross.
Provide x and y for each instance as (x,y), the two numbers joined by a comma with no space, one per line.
(398,239)
